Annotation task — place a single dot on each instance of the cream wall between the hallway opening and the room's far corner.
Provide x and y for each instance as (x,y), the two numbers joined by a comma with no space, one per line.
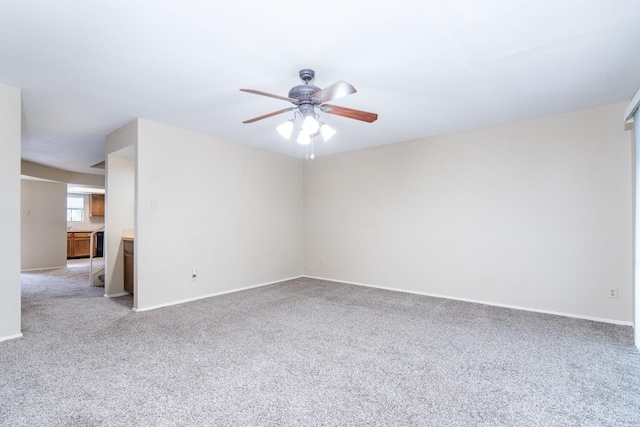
(231,212)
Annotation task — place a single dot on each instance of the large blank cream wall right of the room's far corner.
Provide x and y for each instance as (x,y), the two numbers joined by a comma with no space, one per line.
(534,214)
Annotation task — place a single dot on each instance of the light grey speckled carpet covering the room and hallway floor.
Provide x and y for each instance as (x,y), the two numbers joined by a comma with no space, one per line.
(308,353)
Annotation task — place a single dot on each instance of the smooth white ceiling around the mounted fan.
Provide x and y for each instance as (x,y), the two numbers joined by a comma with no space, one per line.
(426,67)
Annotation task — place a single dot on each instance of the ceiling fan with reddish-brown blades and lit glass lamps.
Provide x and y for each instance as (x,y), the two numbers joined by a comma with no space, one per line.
(306,97)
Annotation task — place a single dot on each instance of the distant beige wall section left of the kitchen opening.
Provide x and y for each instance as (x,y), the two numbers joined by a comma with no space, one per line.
(43,232)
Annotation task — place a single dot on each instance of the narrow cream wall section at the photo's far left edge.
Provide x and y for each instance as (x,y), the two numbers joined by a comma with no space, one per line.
(10,124)
